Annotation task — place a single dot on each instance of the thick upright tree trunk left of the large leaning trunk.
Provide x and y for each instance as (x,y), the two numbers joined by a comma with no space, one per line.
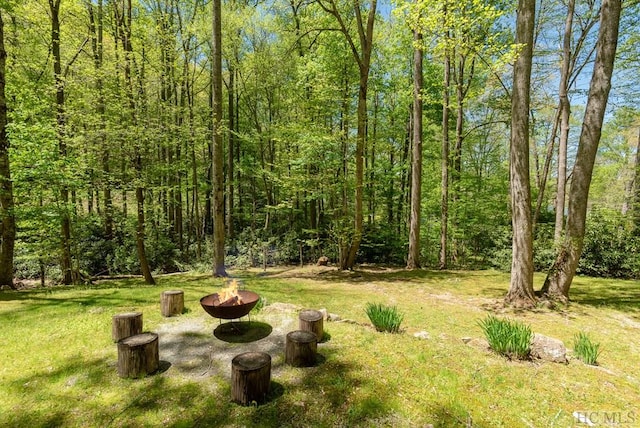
(521,289)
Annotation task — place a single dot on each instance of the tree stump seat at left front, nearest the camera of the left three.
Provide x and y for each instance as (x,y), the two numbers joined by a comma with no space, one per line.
(138,355)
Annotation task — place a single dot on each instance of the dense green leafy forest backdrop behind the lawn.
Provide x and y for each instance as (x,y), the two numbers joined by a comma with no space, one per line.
(137,139)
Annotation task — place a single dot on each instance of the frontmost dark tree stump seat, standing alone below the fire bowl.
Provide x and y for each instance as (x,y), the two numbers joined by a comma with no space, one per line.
(250,377)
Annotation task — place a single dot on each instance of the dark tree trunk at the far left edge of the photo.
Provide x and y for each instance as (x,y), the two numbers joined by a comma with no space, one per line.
(6,187)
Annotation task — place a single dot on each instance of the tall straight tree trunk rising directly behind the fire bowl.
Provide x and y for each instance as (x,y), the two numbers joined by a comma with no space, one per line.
(218,152)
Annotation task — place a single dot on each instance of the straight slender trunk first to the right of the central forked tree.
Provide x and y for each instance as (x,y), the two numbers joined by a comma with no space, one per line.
(413,259)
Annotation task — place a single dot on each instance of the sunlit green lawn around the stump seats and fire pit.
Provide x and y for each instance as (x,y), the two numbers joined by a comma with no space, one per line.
(58,363)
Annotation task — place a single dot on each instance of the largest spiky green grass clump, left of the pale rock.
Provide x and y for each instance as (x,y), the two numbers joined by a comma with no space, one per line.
(509,338)
